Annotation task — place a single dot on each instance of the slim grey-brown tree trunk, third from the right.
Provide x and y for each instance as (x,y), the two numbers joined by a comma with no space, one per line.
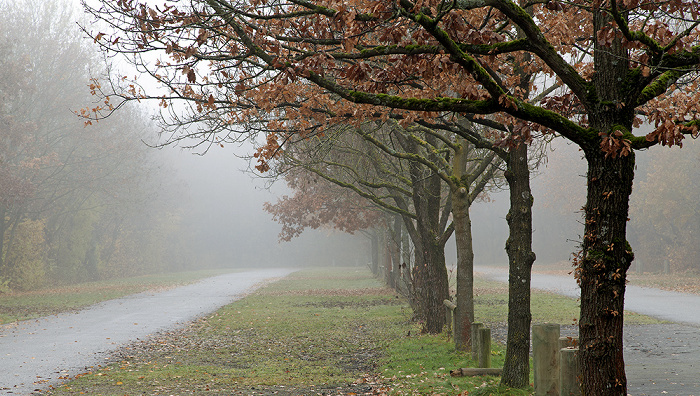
(464,314)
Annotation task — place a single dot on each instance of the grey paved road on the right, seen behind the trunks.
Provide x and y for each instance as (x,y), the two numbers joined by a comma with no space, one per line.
(661,359)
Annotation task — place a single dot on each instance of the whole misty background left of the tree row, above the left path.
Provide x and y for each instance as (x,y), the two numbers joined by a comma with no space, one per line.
(85,200)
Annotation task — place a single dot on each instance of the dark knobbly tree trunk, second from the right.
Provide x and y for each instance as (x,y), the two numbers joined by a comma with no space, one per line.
(516,368)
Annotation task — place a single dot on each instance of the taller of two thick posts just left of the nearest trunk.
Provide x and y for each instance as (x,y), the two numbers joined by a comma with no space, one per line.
(545,358)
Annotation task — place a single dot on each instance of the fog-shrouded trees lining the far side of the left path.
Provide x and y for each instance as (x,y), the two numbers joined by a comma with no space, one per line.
(77,203)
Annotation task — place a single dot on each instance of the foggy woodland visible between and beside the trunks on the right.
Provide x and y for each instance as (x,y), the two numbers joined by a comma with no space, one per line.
(663,210)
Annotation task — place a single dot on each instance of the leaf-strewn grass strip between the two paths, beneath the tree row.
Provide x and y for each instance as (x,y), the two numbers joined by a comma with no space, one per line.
(317,332)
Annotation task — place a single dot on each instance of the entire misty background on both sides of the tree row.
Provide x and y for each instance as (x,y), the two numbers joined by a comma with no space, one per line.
(88,202)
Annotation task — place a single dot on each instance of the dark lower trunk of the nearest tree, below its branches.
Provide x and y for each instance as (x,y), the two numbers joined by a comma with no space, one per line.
(606,257)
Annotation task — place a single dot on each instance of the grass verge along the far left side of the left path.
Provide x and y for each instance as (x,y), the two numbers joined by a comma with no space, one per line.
(29,305)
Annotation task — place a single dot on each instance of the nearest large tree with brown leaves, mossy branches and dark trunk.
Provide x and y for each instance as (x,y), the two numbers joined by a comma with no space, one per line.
(274,66)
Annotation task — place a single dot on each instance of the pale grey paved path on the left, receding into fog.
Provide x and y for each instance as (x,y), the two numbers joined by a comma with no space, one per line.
(37,353)
